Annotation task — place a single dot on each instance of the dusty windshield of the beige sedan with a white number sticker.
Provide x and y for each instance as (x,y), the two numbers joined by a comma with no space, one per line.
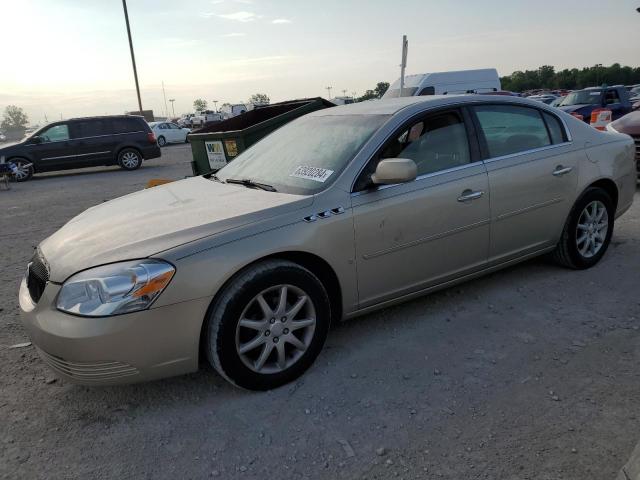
(306,155)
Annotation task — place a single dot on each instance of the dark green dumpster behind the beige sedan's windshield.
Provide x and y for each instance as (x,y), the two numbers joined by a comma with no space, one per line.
(214,145)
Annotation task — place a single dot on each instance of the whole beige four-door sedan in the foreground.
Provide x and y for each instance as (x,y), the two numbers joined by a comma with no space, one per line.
(340,212)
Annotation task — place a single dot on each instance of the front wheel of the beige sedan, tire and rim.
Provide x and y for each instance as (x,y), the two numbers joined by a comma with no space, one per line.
(268,325)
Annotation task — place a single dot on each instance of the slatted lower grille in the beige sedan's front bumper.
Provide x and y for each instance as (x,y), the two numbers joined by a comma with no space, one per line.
(89,371)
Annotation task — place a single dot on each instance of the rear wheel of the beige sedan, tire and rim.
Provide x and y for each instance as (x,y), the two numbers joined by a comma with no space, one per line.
(587,232)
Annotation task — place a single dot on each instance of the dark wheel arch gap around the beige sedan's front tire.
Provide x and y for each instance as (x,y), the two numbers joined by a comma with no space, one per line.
(312,262)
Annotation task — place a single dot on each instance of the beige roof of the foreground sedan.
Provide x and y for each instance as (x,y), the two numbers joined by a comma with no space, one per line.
(393,105)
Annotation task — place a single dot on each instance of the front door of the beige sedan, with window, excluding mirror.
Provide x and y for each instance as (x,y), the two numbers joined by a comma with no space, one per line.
(414,235)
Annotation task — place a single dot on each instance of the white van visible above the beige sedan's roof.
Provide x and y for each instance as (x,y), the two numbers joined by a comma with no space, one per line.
(446,83)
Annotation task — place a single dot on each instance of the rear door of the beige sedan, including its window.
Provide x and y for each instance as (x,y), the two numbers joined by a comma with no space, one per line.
(533,172)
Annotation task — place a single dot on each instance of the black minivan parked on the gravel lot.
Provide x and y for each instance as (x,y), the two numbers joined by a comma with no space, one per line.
(84,142)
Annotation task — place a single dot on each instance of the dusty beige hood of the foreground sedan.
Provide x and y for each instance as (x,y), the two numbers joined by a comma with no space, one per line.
(150,221)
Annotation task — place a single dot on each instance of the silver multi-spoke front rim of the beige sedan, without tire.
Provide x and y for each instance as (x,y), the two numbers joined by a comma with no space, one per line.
(275,329)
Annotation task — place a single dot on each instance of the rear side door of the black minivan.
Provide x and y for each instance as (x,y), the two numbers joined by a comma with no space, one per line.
(94,140)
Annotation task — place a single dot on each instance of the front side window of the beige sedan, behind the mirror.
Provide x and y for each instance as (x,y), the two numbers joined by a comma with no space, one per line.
(436,143)
